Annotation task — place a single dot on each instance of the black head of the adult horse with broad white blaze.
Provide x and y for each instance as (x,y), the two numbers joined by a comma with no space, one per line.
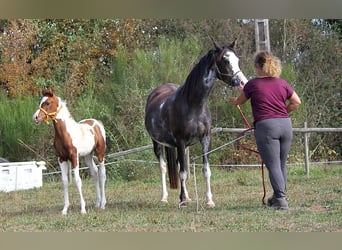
(227,65)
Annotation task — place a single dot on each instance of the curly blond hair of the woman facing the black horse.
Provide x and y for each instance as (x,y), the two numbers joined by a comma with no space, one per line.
(269,64)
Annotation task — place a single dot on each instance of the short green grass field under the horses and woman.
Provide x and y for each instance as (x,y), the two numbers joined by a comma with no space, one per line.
(133,206)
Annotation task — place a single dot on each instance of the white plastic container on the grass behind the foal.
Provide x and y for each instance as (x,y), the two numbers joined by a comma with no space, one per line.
(21,175)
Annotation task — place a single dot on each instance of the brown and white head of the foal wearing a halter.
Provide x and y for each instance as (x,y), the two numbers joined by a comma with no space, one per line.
(48,107)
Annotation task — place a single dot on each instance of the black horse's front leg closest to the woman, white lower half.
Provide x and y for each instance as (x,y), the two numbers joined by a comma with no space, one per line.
(206,170)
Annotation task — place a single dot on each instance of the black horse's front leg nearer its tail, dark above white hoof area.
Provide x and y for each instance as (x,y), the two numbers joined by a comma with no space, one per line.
(183,174)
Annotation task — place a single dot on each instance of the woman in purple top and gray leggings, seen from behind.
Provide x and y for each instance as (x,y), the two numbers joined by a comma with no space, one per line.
(272,99)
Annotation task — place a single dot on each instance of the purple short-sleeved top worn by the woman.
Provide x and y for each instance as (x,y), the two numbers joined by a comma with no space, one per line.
(268,97)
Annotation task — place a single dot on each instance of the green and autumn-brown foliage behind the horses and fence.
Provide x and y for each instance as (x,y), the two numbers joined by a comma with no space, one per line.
(105,69)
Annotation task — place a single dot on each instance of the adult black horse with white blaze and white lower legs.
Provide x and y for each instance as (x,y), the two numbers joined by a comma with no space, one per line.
(178,117)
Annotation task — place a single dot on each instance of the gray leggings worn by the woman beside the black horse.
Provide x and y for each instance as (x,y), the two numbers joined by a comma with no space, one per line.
(274,138)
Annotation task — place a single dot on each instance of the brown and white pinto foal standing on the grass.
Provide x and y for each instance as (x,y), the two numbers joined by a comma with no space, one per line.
(74,139)
